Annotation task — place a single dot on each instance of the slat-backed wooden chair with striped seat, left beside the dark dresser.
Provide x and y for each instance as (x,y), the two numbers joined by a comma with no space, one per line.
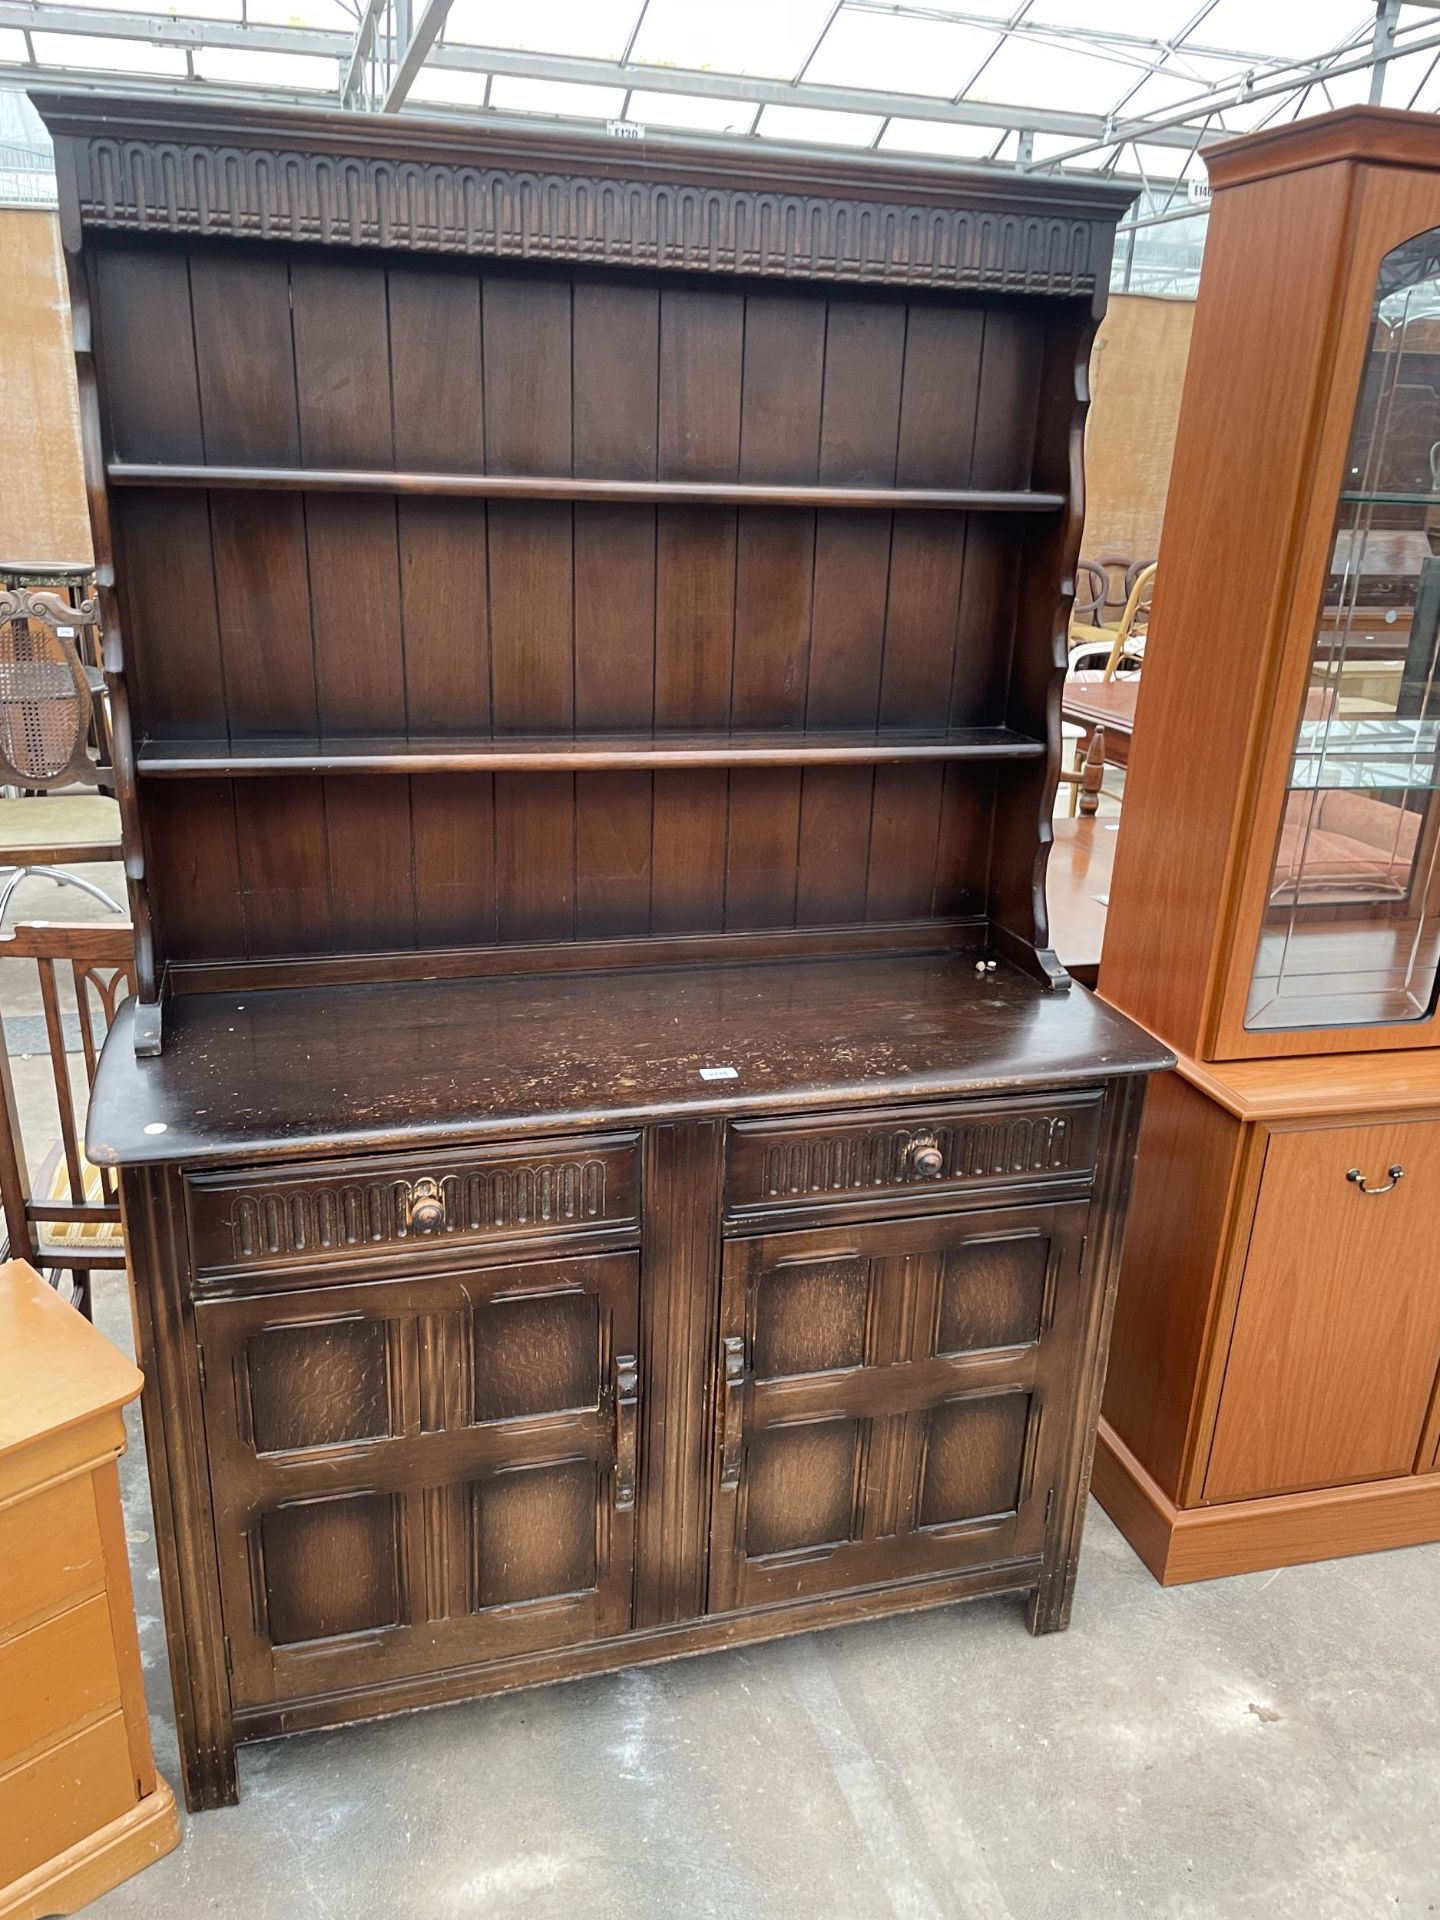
(66,1218)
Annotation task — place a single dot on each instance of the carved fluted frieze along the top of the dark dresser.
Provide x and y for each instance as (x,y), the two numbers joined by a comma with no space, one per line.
(153,185)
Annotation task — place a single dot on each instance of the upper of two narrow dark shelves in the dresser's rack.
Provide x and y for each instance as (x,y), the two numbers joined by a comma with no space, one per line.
(567,489)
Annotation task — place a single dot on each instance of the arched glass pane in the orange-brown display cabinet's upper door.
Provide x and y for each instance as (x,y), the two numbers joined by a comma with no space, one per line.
(1353,921)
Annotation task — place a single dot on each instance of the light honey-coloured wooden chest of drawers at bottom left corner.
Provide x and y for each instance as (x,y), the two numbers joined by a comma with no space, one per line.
(82,1806)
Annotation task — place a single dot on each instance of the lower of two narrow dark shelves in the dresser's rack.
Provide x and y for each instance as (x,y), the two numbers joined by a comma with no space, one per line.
(565,752)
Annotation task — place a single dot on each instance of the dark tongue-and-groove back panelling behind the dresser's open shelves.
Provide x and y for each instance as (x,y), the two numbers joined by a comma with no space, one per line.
(325,617)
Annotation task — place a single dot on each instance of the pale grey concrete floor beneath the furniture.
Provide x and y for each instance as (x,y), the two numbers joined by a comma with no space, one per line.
(1249,1748)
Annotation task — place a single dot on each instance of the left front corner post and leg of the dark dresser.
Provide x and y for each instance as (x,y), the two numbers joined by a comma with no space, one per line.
(180,1483)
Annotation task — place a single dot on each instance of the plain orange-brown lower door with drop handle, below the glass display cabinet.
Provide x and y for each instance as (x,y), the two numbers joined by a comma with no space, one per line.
(1337,1335)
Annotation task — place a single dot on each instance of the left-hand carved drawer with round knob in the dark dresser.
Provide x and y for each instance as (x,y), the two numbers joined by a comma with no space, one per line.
(249,1220)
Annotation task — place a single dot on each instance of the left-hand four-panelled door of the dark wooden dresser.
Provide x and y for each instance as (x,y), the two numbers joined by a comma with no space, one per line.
(421,1474)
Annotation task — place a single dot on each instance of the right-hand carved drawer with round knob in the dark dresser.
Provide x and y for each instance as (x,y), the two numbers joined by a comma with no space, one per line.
(1032,1145)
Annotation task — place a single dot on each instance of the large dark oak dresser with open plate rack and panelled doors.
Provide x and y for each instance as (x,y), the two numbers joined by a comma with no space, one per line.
(612,1164)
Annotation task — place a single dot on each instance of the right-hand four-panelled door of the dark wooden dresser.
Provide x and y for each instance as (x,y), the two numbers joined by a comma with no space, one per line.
(892,1401)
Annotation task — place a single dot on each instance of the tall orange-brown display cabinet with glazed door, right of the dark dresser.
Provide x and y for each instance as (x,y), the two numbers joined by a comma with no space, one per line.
(1276,1378)
